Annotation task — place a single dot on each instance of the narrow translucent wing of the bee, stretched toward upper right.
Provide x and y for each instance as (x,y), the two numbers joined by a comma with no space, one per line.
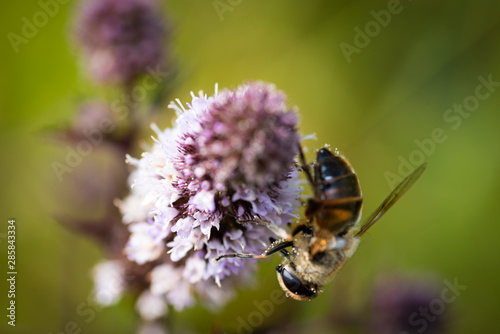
(396,194)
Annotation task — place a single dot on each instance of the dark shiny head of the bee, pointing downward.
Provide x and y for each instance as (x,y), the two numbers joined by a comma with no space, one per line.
(293,285)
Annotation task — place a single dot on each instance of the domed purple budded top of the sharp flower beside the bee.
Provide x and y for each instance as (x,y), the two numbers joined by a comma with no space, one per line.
(246,140)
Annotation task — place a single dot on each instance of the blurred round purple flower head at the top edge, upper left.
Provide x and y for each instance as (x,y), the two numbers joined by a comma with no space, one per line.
(121,38)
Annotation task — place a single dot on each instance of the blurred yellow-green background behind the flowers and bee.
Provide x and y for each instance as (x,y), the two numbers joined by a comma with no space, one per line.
(373,105)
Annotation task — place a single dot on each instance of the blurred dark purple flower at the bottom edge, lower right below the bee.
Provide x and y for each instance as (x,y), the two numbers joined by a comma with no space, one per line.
(402,305)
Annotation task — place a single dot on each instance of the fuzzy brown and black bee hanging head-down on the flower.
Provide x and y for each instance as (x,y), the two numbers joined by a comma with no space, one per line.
(323,242)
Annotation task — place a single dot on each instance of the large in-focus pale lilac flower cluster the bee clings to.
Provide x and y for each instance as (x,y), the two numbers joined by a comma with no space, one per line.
(228,159)
